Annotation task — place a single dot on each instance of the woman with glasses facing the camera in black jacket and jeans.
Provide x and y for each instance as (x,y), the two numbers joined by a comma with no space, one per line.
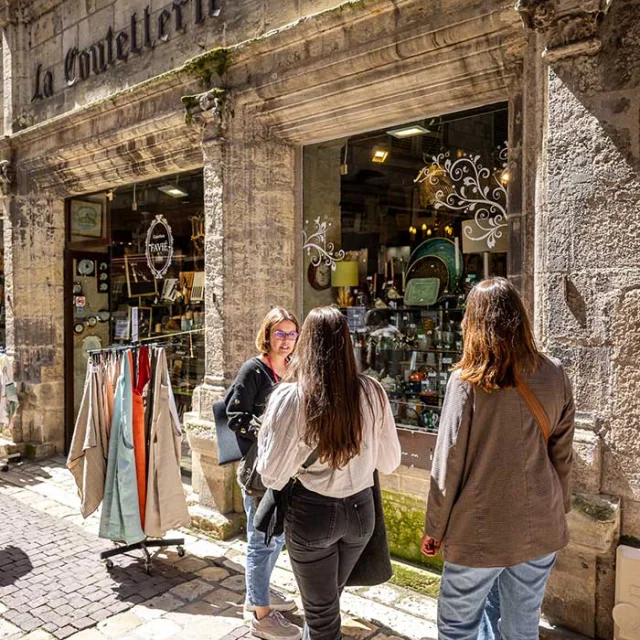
(246,402)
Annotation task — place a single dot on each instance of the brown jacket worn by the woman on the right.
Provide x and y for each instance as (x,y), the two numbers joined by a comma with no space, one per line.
(498,496)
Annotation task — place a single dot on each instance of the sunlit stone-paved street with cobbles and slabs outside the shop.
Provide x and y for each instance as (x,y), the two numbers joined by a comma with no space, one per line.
(53,584)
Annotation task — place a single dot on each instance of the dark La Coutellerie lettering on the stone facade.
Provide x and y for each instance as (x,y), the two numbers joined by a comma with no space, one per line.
(143,33)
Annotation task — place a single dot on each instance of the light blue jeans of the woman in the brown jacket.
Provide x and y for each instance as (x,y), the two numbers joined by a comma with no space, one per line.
(464,592)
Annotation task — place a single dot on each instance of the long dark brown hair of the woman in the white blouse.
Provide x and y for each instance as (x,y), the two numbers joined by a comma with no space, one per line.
(325,368)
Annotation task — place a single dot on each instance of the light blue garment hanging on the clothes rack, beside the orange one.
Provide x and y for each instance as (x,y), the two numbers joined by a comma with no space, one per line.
(120,518)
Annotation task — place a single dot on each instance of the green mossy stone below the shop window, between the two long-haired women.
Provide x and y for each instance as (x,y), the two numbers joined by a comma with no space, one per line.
(404,516)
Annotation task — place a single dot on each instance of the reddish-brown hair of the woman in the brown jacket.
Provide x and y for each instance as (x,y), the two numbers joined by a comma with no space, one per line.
(498,341)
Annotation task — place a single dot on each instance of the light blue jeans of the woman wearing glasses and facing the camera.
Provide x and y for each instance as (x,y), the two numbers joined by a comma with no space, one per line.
(261,558)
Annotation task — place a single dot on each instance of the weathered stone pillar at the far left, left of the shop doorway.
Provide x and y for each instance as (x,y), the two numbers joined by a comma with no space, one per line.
(34,290)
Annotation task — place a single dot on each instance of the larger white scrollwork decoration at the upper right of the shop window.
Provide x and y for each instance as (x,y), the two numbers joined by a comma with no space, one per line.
(466,185)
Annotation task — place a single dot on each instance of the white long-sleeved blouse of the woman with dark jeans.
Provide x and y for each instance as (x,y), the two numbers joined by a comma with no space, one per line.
(282,450)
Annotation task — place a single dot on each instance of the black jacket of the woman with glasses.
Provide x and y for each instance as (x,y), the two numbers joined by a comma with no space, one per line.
(246,400)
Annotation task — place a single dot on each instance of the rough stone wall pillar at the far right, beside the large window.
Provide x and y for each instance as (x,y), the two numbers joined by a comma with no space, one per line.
(587,281)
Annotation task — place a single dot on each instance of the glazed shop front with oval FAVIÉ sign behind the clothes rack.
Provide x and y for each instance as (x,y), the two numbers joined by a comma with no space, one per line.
(134,274)
